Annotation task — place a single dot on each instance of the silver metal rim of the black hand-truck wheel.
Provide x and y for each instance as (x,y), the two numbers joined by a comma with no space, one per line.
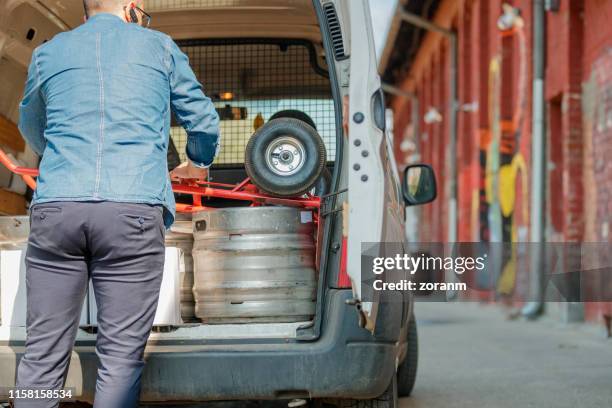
(285,156)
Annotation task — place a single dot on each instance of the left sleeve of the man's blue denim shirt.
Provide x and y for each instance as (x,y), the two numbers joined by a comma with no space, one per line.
(32,111)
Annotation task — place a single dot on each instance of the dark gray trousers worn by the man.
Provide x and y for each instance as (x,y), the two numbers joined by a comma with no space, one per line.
(120,247)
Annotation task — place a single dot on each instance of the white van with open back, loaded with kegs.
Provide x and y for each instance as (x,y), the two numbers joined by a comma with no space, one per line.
(314,338)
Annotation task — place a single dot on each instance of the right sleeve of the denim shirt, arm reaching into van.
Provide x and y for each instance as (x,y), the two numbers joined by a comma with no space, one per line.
(193,110)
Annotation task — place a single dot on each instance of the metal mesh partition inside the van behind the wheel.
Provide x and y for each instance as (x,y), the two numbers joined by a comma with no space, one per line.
(250,81)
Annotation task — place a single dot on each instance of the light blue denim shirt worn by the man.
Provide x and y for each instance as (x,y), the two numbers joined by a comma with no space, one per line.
(97,109)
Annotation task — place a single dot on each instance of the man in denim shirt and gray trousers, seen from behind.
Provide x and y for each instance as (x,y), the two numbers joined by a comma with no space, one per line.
(97,110)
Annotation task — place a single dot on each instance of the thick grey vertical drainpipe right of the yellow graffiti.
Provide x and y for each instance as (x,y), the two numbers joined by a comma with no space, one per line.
(539,160)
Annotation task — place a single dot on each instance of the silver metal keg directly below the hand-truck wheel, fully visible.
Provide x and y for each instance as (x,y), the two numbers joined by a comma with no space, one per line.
(254,265)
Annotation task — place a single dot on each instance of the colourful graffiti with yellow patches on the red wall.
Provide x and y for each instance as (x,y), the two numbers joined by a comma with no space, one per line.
(503,211)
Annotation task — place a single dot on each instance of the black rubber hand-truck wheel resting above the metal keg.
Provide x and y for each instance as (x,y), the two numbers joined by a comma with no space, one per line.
(285,157)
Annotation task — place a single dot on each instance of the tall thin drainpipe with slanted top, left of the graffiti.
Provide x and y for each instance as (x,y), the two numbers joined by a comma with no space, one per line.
(425,24)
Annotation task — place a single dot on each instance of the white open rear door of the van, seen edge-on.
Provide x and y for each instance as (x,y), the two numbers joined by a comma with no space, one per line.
(366,191)
